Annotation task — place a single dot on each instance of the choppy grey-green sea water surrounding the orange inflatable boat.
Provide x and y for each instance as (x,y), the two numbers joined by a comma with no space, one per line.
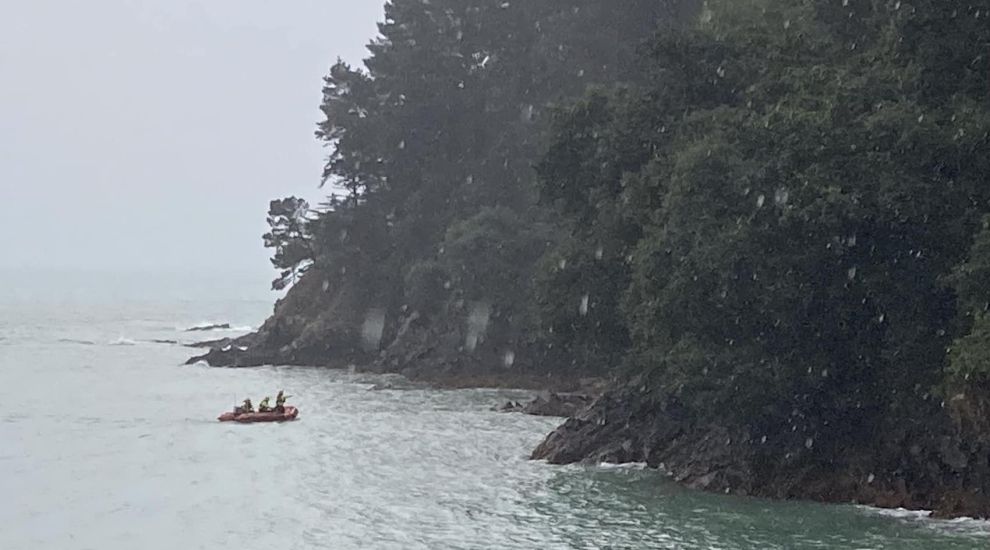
(110,444)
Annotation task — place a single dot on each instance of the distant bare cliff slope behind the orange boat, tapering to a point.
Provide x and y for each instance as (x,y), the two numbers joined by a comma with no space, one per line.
(320,324)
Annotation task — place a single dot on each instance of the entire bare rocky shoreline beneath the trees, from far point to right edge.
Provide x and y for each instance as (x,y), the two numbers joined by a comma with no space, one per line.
(919,462)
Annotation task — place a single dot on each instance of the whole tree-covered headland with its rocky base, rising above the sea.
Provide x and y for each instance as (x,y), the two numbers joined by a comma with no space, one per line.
(767,221)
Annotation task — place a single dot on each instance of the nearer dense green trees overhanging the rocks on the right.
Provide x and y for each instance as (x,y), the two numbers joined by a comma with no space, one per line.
(792,190)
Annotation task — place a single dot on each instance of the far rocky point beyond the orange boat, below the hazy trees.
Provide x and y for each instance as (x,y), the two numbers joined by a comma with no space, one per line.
(320,326)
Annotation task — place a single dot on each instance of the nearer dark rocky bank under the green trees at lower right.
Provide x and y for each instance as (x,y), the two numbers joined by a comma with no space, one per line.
(917,462)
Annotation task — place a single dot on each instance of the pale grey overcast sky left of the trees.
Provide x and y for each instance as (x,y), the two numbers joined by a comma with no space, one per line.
(151,134)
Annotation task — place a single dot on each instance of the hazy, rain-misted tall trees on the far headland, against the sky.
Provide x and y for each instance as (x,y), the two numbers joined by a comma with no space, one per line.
(433,147)
